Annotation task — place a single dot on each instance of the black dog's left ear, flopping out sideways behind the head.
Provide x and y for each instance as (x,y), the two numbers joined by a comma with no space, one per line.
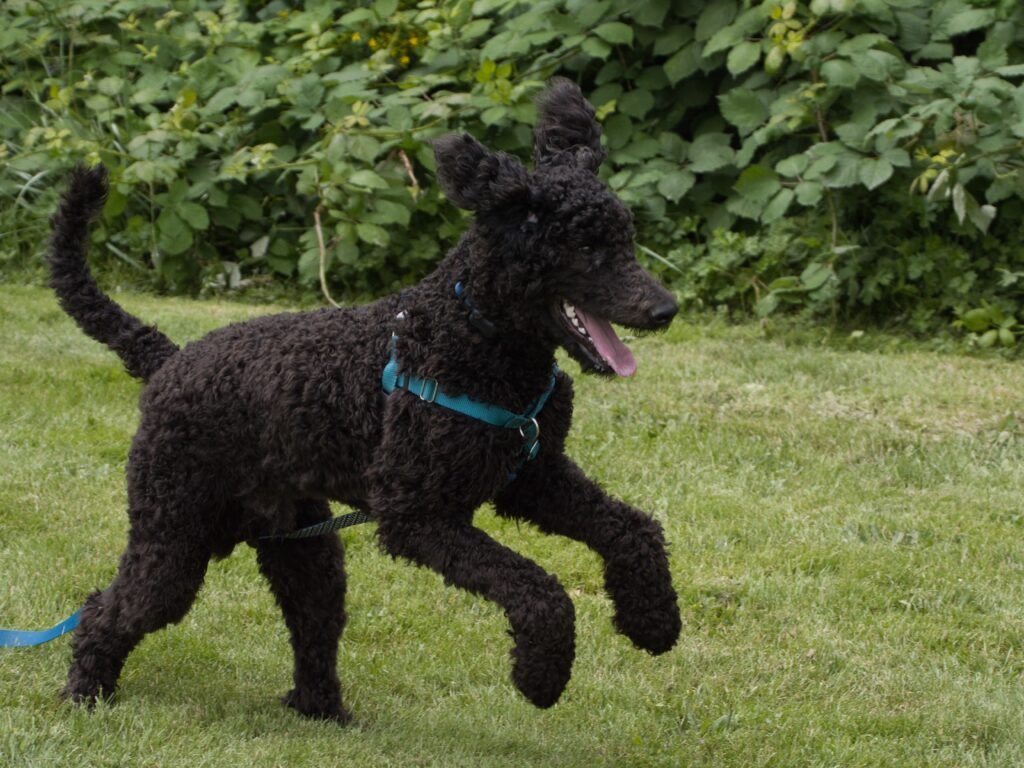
(478,180)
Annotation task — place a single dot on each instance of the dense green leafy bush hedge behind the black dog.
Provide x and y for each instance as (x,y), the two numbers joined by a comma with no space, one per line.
(857,157)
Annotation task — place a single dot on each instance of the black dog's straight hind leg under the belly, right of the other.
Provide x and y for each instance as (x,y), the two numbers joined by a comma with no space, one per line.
(308,578)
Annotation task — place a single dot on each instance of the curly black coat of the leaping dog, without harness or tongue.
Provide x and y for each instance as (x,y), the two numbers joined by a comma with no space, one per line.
(250,431)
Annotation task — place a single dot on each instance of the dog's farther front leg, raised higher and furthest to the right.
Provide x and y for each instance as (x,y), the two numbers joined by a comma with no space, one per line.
(554,494)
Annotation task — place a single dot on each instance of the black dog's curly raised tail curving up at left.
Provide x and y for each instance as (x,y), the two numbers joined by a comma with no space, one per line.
(143,349)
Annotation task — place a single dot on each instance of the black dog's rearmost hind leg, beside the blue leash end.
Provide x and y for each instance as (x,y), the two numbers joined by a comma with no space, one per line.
(157,582)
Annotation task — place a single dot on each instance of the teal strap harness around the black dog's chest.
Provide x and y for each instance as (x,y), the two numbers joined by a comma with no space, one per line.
(428,390)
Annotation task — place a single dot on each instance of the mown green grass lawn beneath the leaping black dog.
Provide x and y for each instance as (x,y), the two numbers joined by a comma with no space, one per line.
(848,545)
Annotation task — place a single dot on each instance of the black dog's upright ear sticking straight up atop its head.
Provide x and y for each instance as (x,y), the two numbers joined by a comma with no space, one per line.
(567,132)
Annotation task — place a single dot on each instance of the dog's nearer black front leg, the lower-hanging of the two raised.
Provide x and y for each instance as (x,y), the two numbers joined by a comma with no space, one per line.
(538,609)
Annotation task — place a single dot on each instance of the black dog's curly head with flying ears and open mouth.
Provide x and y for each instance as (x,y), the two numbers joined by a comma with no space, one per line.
(560,245)
